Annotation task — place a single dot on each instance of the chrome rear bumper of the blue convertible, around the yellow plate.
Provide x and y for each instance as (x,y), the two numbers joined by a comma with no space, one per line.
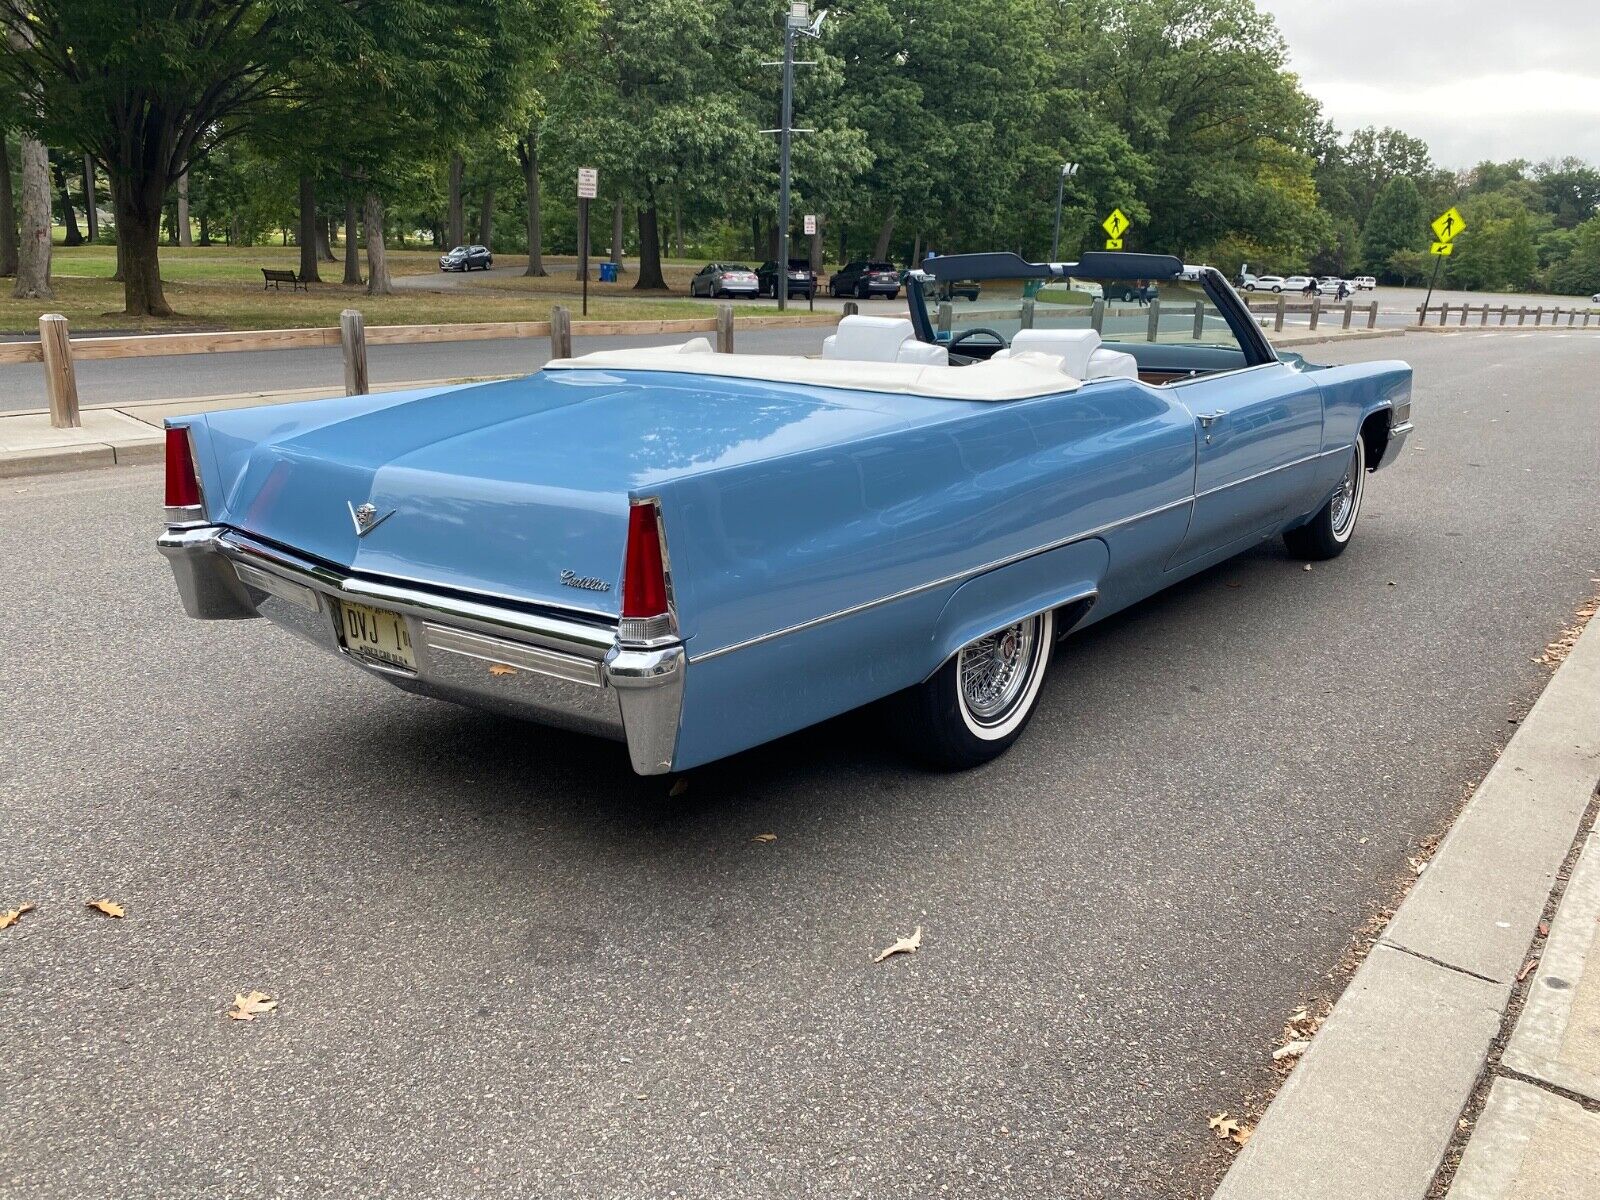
(558,671)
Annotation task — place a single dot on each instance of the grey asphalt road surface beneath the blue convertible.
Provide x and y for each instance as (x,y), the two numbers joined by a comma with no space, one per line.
(511,969)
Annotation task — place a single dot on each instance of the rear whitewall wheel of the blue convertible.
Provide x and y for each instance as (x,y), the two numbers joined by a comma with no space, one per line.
(978,703)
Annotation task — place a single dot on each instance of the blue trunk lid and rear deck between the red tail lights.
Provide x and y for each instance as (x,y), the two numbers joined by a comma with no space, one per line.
(505,489)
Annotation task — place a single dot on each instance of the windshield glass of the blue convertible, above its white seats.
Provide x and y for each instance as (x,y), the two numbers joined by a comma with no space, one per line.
(1140,318)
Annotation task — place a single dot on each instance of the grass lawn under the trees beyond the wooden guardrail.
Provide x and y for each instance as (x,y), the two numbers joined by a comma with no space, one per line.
(220,289)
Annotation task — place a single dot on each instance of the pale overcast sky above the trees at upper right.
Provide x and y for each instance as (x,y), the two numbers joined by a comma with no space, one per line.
(1476,79)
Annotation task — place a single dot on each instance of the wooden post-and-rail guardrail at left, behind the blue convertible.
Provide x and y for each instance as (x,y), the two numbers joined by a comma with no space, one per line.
(58,351)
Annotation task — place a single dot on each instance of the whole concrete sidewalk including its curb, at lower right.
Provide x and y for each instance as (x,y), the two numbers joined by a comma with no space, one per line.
(1478,996)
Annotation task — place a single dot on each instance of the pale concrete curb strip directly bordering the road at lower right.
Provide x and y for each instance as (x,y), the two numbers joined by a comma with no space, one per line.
(1374,1106)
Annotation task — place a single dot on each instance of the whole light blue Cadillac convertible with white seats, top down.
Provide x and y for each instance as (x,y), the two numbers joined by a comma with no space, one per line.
(697,553)
